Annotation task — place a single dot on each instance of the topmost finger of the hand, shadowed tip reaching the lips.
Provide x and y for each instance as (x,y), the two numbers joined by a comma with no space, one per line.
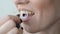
(10,17)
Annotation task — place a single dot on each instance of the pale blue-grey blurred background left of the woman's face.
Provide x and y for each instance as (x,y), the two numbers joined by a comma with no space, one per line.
(7,7)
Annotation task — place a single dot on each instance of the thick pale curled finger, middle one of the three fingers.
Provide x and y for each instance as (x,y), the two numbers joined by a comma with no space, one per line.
(7,26)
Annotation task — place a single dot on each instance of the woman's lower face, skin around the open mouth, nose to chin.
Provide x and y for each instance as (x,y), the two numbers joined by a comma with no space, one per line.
(44,14)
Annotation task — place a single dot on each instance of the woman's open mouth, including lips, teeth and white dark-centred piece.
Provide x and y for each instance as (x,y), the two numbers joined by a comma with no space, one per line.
(25,14)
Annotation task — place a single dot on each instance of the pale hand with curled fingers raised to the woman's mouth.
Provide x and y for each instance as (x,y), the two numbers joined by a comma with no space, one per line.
(8,25)
